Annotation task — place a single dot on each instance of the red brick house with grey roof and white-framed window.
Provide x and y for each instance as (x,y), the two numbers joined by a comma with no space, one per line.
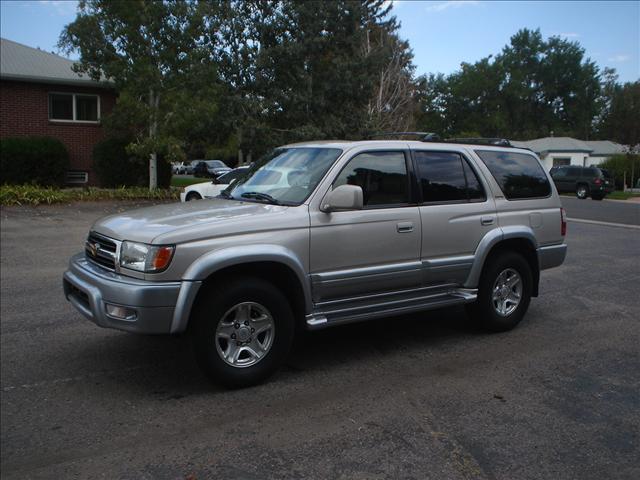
(41,95)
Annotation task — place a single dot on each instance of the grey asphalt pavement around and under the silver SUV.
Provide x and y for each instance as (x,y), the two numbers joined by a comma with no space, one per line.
(423,396)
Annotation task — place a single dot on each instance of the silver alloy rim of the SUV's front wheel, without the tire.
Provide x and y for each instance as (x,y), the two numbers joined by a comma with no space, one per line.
(245,334)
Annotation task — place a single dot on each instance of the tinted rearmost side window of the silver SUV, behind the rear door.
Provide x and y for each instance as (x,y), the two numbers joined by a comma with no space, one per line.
(518,174)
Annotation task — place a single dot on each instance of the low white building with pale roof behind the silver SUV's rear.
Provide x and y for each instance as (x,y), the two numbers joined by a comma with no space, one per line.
(556,151)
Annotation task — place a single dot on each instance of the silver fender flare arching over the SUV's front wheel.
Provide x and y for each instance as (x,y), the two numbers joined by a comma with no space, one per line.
(216,260)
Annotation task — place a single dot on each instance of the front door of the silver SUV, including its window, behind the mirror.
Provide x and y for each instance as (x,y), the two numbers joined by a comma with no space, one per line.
(373,250)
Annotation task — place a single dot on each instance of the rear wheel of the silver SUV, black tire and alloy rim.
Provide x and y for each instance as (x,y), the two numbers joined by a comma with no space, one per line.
(485,311)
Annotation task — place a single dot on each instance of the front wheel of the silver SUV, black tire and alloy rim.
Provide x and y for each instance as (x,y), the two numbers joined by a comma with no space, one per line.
(221,313)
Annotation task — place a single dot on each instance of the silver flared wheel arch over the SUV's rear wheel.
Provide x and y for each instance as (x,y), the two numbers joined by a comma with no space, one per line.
(520,239)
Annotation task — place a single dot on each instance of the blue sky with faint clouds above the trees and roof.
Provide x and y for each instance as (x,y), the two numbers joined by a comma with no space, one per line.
(442,34)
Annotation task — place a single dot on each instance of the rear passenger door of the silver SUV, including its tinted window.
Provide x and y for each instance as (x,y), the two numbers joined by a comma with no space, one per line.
(456,213)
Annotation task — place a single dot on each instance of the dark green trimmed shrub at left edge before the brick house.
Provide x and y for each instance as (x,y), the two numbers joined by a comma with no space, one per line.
(35,160)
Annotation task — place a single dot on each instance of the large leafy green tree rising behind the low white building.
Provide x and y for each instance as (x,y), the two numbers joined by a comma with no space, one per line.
(532,88)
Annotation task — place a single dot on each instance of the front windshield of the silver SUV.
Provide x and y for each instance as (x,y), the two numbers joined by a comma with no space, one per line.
(284,176)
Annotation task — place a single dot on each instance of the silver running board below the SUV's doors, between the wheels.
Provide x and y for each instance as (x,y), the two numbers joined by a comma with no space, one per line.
(327,317)
